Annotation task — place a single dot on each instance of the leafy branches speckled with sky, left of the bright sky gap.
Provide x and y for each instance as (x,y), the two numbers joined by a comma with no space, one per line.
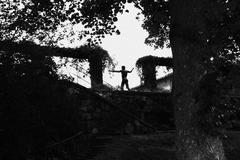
(40,19)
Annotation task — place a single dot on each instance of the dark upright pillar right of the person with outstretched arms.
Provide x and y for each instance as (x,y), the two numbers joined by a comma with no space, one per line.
(149,75)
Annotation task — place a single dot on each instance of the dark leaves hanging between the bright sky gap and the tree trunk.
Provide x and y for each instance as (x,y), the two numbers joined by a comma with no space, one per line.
(156,22)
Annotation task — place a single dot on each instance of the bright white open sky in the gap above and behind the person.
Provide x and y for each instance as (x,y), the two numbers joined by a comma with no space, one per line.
(127,47)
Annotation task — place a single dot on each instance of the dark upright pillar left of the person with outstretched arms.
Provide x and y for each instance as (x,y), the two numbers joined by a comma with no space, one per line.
(96,73)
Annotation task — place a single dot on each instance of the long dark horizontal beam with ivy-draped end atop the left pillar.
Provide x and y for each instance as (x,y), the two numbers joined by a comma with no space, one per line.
(99,57)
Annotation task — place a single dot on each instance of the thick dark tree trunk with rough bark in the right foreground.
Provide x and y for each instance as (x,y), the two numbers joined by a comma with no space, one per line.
(187,42)
